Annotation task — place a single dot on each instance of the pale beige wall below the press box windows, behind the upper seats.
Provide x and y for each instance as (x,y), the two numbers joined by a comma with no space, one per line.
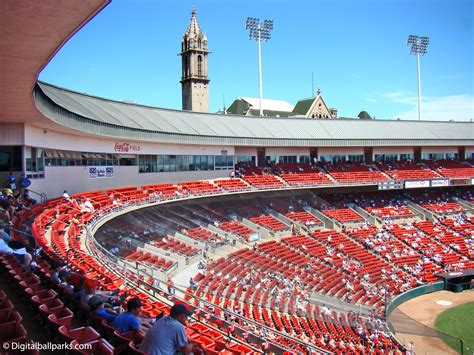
(76,179)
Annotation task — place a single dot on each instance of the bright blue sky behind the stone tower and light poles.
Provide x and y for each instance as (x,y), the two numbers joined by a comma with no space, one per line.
(356,51)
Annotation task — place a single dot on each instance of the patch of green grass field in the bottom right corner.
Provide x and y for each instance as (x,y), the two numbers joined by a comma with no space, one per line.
(458,322)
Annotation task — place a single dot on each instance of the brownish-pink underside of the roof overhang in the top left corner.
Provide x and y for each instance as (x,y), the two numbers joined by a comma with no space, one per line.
(32,32)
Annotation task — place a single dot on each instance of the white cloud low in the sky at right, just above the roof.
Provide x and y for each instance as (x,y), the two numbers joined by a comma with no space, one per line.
(443,108)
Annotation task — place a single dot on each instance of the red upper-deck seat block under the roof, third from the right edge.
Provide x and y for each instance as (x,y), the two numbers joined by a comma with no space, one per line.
(352,173)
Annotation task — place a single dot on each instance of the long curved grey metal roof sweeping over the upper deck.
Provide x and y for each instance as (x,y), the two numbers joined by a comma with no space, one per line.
(106,117)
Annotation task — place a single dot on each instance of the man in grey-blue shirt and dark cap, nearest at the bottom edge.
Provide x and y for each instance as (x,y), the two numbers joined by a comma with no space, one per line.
(168,335)
